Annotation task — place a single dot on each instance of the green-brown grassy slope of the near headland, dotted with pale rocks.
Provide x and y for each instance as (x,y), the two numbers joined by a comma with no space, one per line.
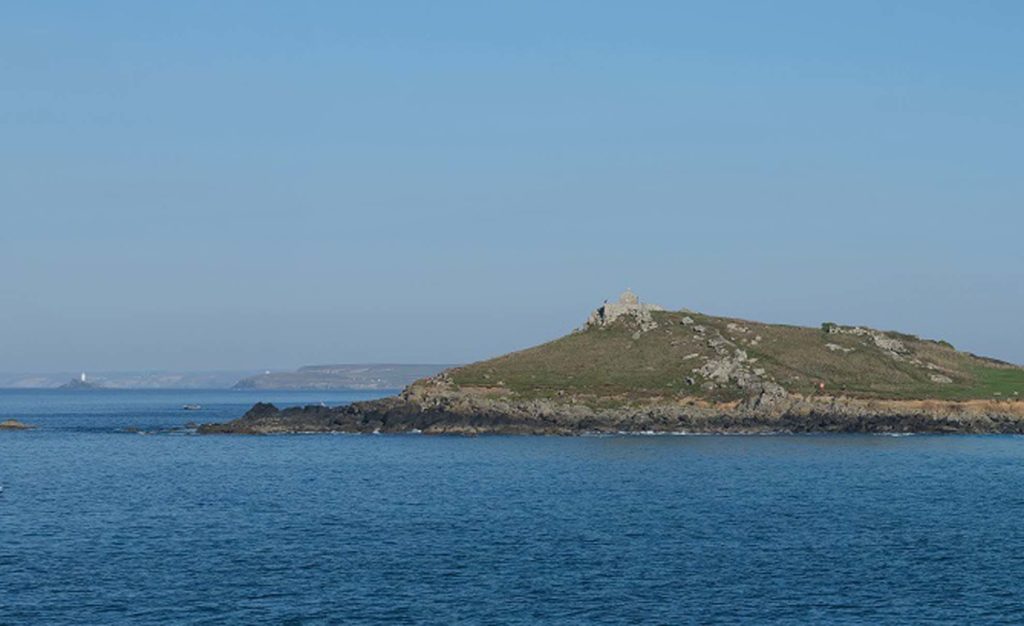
(660,355)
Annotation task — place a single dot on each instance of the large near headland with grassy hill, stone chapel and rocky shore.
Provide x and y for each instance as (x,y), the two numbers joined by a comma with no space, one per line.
(636,367)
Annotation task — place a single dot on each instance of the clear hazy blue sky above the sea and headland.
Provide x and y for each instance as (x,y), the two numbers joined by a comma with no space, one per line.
(267,185)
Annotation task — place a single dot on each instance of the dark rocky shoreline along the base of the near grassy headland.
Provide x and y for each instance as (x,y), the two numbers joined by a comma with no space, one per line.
(446,411)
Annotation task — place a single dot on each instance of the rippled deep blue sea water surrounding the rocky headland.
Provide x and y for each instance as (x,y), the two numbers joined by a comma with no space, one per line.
(100,525)
